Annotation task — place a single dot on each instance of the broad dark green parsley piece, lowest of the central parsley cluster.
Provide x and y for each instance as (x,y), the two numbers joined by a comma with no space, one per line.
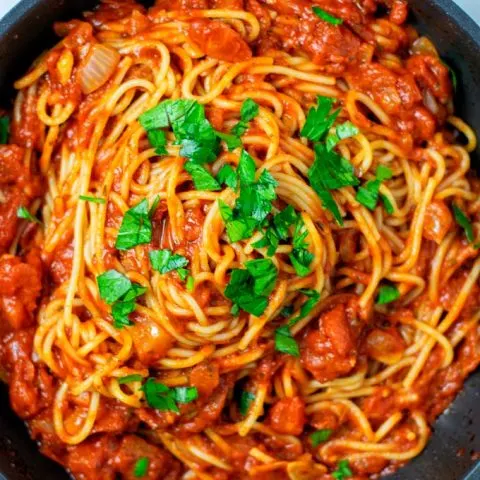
(249,288)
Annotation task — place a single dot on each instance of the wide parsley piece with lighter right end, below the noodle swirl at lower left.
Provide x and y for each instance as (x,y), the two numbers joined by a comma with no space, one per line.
(161,397)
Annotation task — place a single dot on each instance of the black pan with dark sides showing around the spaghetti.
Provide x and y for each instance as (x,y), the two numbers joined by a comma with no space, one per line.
(27,30)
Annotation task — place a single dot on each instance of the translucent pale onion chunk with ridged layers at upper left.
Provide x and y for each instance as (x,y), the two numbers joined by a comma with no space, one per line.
(98,67)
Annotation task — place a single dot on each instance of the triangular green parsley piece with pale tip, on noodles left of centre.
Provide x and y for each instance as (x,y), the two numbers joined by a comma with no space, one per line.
(136,227)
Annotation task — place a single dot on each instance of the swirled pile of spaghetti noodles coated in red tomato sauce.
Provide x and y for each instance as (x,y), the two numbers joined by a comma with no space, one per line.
(94,146)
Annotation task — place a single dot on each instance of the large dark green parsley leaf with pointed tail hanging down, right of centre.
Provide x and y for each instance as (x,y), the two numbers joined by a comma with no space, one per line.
(329,172)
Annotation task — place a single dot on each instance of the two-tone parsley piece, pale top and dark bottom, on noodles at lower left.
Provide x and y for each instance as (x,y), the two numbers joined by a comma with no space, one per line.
(118,291)
